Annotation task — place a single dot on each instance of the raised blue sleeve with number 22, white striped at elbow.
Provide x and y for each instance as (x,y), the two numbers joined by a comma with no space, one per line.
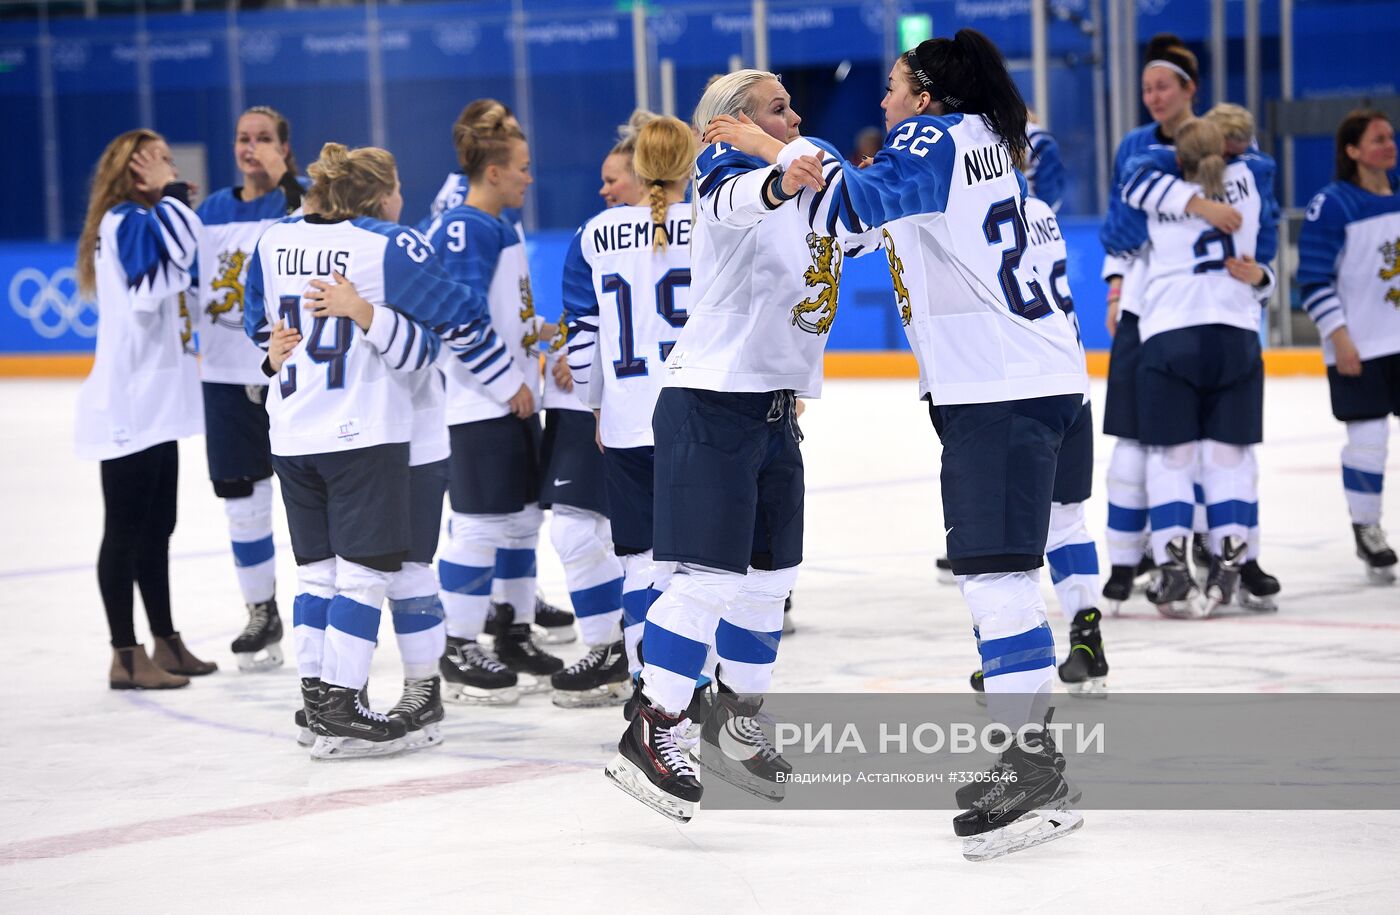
(911,176)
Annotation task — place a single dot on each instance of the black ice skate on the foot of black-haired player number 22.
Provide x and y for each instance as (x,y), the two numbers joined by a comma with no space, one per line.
(1025,802)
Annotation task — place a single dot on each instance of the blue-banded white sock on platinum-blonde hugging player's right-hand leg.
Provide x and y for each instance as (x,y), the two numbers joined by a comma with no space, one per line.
(747,639)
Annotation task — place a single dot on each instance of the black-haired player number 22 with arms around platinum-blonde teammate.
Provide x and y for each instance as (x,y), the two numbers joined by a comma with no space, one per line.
(947,191)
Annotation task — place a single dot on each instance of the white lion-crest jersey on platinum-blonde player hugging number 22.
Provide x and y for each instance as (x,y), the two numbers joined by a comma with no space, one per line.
(765,286)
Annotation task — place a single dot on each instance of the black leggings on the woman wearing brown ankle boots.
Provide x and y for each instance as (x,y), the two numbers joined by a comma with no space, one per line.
(139,493)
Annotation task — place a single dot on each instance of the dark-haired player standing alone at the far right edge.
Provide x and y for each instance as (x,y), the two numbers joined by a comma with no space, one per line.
(1349,262)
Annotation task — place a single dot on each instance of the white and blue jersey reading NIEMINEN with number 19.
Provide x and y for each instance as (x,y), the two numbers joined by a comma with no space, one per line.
(625,307)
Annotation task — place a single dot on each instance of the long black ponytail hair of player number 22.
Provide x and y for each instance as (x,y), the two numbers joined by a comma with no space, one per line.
(968,75)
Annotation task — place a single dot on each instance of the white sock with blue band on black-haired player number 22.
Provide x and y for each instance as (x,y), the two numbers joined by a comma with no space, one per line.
(1016,644)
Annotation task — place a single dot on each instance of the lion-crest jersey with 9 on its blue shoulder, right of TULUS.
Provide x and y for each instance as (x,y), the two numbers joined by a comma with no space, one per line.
(486,253)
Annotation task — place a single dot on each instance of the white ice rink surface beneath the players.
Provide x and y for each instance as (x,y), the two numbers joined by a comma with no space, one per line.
(201,801)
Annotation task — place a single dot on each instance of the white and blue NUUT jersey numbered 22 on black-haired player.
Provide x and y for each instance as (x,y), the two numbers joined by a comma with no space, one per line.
(982,325)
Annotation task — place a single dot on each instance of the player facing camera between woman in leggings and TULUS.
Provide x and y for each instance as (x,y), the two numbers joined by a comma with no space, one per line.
(234,388)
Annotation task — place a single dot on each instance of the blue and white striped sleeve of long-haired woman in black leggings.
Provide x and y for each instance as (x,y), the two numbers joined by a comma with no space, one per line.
(157,248)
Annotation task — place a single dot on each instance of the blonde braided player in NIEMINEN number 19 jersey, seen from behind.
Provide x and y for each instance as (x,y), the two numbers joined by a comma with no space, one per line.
(626,296)
